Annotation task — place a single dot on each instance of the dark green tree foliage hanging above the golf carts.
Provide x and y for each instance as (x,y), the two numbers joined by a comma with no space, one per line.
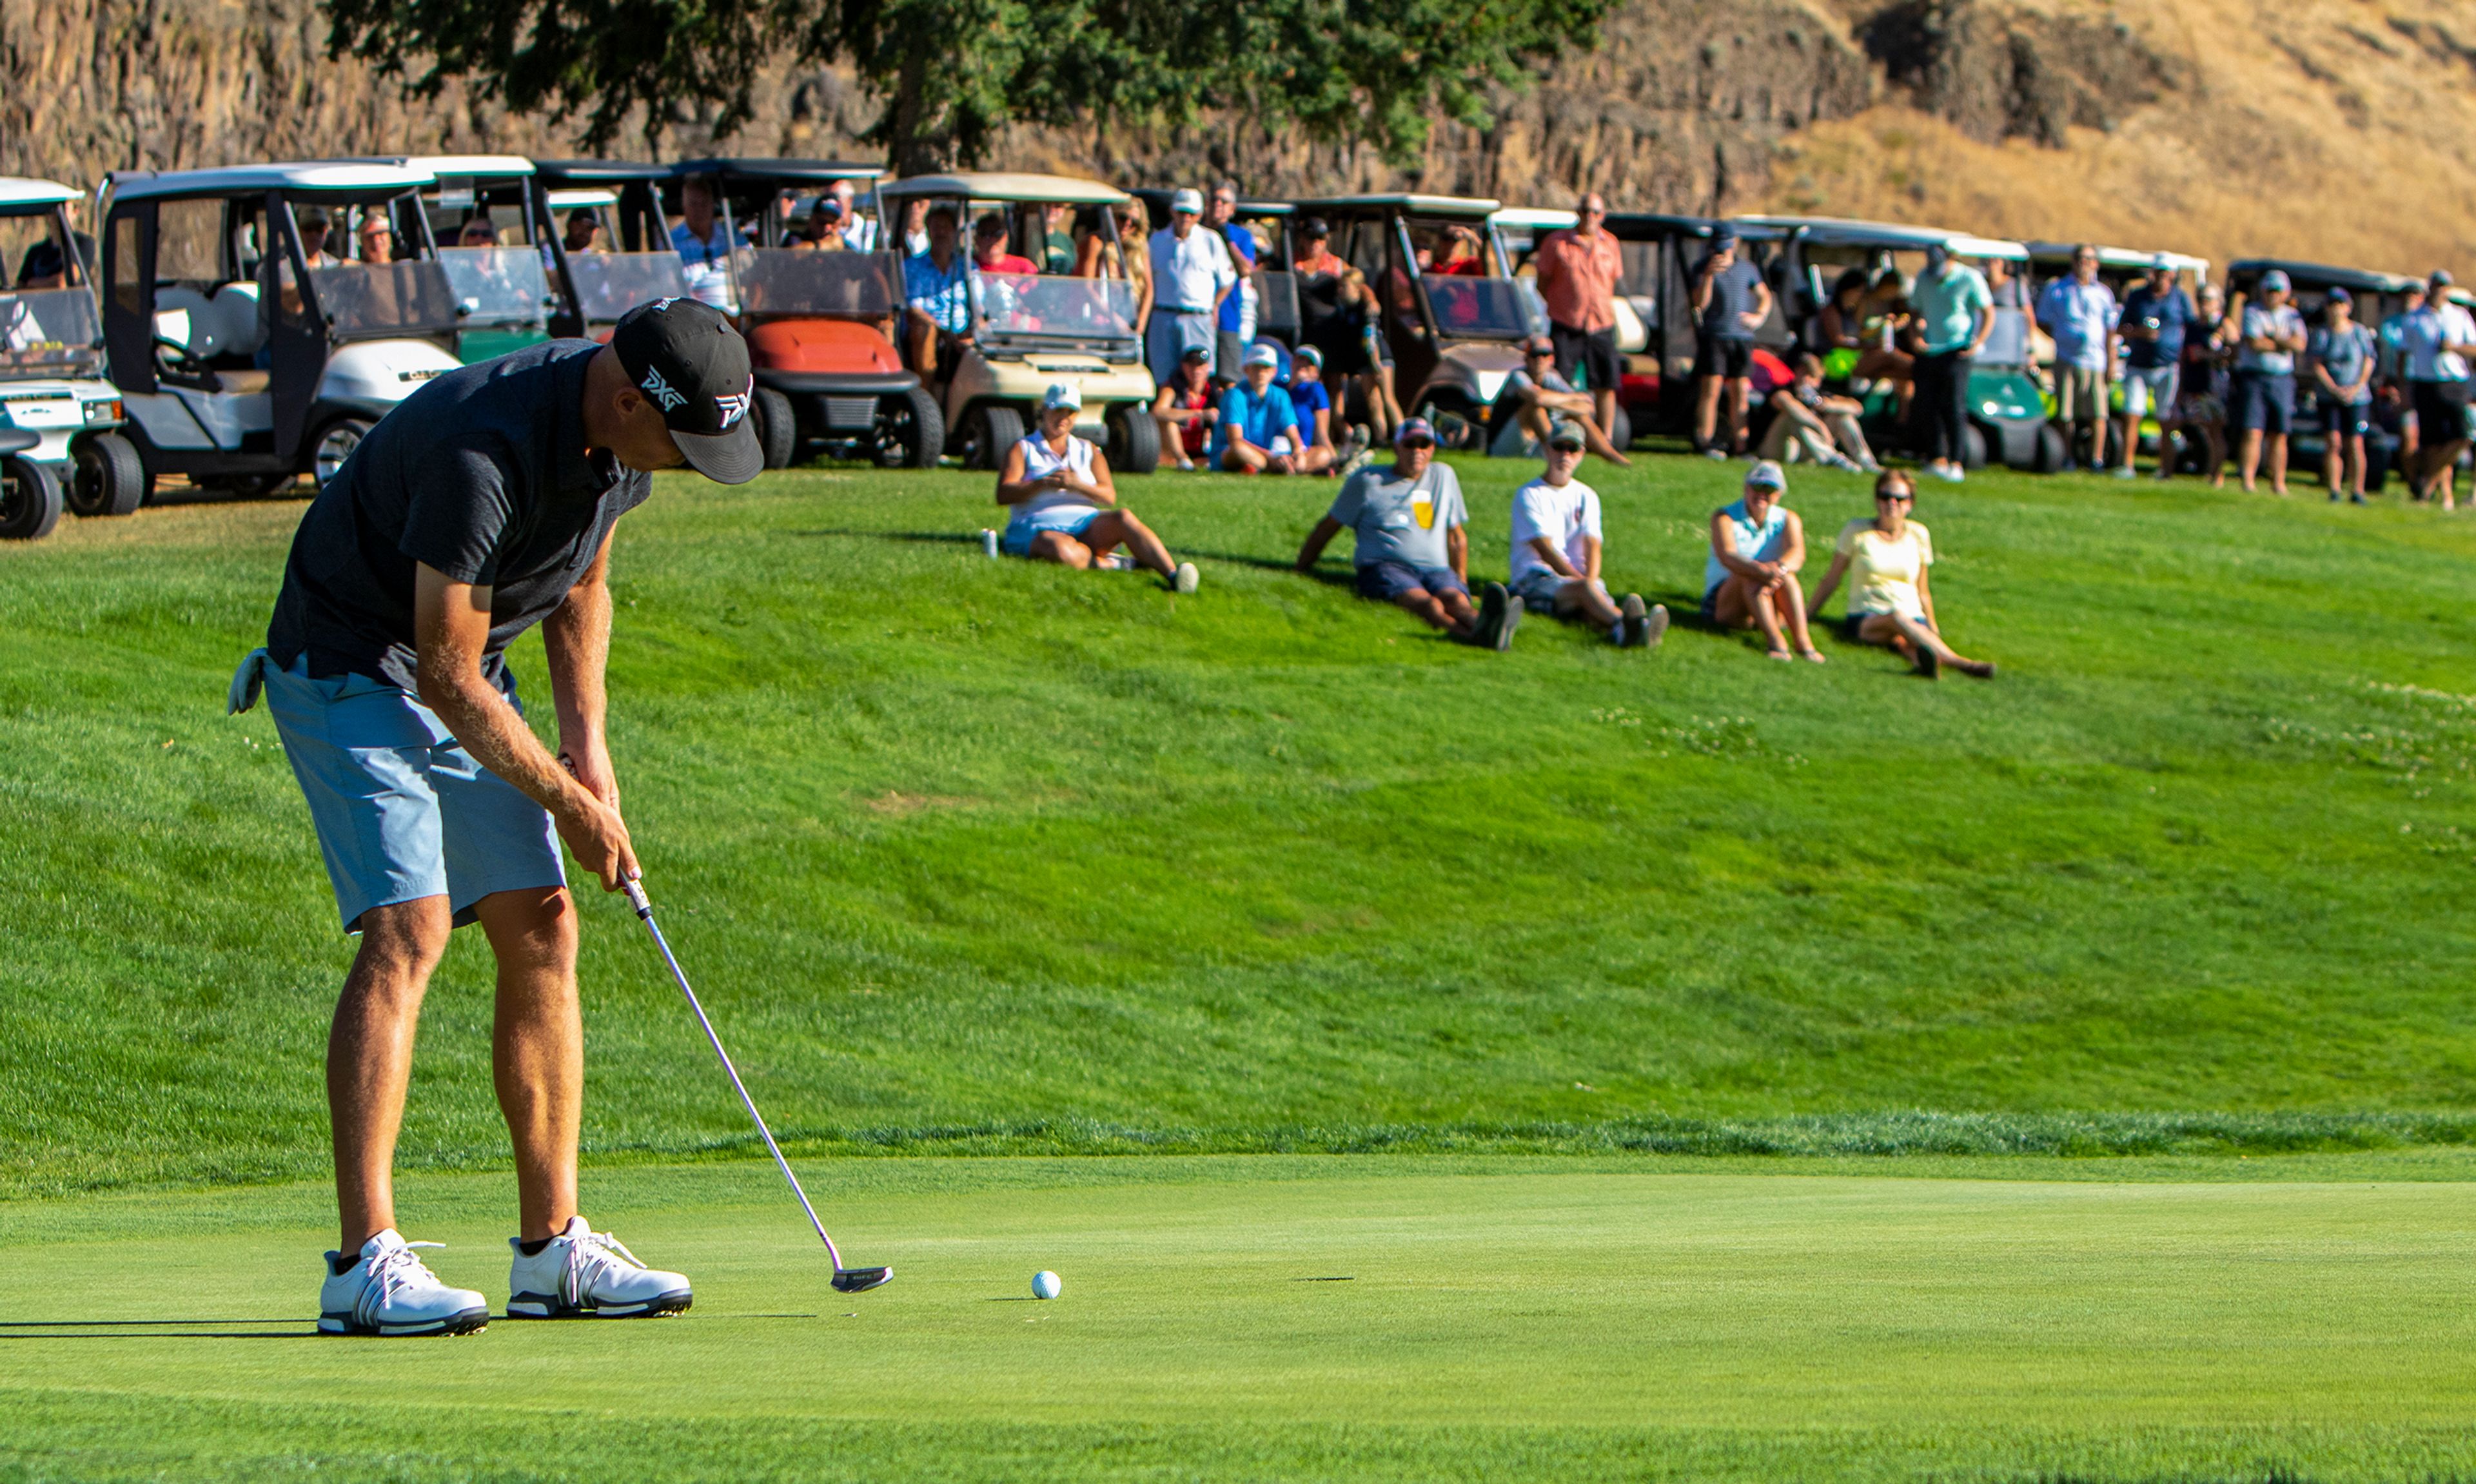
(954,73)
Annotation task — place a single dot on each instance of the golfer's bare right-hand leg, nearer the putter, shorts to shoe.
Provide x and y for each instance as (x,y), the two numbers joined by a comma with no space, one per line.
(539,1049)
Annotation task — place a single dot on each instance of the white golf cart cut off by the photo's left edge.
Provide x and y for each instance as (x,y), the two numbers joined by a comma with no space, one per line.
(58,412)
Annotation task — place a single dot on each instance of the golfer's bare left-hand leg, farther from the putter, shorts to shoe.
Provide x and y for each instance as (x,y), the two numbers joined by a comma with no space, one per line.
(370,1057)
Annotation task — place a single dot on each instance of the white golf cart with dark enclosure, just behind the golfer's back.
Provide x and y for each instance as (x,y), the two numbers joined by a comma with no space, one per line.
(239,363)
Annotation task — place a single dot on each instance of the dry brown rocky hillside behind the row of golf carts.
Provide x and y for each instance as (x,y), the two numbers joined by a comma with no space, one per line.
(2227,128)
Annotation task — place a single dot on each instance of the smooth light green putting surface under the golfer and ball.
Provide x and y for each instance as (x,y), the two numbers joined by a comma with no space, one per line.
(1502,1317)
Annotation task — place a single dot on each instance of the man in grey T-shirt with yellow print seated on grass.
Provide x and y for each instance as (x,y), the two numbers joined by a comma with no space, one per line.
(1413,549)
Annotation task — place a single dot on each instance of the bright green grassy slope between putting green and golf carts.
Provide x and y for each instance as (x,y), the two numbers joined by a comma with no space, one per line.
(992,853)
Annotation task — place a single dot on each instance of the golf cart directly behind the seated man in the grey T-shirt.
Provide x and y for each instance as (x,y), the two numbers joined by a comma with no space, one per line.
(1455,336)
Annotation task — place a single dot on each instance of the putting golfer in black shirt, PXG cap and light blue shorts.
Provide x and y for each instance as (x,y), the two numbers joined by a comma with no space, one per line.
(474,512)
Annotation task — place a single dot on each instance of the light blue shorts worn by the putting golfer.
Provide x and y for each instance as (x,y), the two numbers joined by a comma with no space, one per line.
(400,809)
